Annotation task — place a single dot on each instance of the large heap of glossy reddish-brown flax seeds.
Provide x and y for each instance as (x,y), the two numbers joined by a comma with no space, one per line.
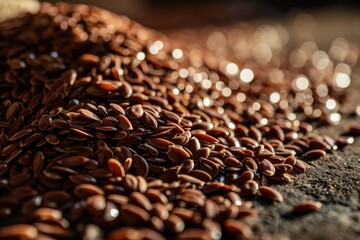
(108,131)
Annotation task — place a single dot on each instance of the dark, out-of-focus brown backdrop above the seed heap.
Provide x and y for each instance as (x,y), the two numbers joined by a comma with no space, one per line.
(163,14)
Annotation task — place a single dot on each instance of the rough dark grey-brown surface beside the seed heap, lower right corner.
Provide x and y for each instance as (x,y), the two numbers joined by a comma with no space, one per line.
(334,181)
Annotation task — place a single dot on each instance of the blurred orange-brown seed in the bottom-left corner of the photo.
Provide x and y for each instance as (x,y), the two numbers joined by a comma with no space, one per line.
(19,231)
